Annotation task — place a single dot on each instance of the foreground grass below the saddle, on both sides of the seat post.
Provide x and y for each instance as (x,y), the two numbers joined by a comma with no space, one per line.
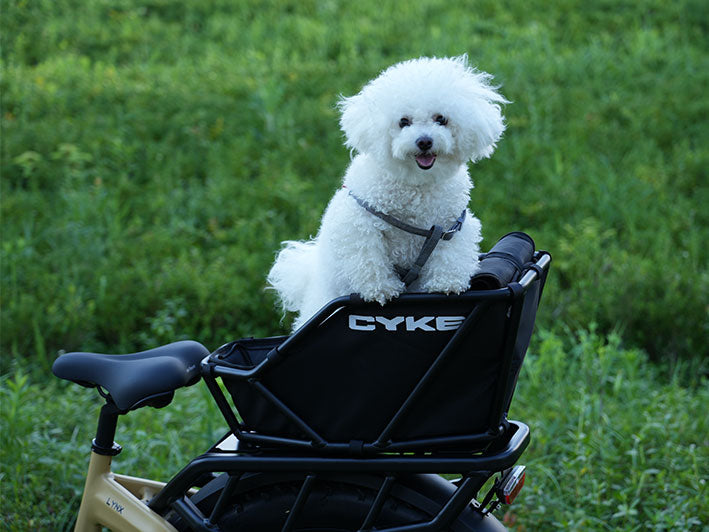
(47,428)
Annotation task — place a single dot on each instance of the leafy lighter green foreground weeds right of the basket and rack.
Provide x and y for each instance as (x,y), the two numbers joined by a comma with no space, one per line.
(614,446)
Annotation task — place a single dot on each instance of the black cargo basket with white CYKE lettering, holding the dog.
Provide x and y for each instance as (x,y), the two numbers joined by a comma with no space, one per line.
(424,373)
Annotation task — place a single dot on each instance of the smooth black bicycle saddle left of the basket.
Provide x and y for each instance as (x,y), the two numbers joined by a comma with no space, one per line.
(133,380)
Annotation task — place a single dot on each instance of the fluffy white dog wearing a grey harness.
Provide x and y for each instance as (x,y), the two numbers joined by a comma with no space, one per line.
(414,128)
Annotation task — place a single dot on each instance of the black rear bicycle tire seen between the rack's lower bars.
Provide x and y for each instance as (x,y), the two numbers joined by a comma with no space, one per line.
(336,503)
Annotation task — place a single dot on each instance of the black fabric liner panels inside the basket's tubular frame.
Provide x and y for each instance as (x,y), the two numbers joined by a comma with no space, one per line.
(348,384)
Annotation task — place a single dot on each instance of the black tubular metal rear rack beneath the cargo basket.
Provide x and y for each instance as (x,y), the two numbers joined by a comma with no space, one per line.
(474,469)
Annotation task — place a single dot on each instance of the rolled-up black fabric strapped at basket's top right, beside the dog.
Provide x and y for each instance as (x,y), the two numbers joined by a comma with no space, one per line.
(504,262)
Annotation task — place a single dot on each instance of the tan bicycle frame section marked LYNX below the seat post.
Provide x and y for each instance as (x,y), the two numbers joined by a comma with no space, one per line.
(118,502)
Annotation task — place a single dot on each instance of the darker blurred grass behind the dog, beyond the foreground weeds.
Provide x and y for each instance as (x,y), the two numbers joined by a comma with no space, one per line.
(155,154)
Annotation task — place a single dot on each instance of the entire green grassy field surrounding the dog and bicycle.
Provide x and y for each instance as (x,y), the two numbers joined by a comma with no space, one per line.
(154,154)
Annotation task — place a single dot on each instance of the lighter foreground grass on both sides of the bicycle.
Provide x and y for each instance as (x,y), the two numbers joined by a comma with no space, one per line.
(615,445)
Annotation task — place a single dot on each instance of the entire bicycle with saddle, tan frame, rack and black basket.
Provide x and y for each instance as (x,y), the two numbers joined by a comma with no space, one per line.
(346,424)
